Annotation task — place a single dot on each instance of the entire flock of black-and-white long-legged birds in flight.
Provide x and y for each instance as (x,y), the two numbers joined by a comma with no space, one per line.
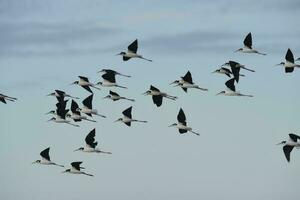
(64,115)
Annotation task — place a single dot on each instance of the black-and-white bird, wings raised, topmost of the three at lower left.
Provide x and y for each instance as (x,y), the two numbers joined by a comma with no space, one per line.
(90,146)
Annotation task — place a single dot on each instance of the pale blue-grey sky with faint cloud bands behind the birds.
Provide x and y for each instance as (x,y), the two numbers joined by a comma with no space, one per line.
(45,45)
